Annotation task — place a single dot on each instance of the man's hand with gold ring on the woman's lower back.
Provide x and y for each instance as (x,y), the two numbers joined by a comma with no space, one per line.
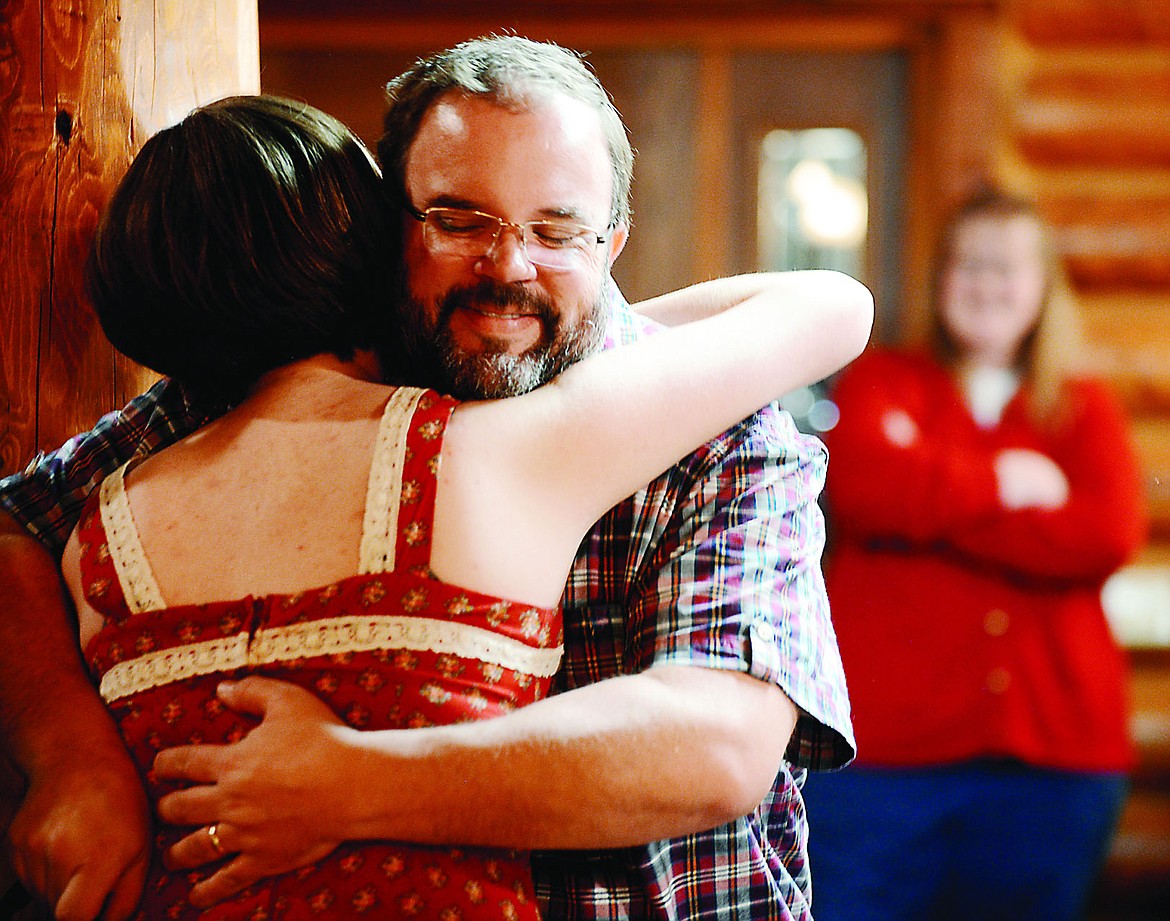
(270,809)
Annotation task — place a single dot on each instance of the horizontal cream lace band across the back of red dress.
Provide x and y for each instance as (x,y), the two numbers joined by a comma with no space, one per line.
(333,637)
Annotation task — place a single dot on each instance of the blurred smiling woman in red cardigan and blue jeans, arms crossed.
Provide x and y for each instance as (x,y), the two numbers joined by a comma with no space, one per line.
(983,490)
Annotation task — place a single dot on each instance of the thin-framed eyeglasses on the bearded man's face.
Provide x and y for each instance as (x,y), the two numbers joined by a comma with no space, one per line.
(463,232)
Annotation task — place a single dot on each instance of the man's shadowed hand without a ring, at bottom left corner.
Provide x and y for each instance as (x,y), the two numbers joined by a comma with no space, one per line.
(81,838)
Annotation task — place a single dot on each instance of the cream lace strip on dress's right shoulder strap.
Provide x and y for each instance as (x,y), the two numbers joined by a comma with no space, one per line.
(380,528)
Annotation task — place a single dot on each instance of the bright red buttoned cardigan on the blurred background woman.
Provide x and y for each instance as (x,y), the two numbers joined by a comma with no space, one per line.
(968,630)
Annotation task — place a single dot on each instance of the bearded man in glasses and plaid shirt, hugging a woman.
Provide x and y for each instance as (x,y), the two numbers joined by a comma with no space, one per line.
(701,675)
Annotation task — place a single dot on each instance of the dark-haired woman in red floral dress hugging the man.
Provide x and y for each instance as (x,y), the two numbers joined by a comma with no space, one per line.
(393,551)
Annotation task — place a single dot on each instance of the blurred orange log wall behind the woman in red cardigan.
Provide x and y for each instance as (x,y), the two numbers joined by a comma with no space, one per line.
(1086,127)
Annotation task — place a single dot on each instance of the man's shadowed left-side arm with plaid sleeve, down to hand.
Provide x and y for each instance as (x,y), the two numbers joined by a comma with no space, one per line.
(81,834)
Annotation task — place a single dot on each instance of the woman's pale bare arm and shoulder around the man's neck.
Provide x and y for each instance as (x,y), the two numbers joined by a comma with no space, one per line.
(563,455)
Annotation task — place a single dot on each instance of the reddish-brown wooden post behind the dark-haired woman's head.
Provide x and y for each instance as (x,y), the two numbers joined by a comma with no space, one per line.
(82,85)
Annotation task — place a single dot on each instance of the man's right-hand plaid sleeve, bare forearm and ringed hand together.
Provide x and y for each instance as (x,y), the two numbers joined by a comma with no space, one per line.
(670,751)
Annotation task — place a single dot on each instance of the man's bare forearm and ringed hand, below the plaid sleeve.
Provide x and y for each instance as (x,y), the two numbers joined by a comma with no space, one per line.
(666,753)
